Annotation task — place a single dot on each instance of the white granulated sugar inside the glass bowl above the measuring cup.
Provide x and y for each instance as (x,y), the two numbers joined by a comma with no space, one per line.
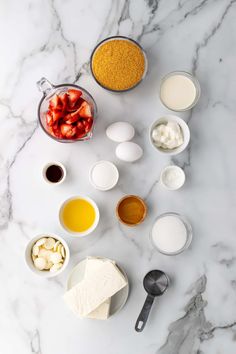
(169,234)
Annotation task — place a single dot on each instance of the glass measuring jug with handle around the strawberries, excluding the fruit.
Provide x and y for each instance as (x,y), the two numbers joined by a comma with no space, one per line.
(49,90)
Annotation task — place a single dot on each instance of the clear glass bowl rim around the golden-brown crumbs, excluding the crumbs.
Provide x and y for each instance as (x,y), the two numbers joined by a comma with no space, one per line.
(124,39)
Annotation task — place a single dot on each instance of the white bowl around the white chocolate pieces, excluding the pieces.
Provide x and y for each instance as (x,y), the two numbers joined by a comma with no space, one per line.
(29,261)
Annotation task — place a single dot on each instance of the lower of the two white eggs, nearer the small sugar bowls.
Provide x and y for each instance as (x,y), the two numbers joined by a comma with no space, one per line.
(129,151)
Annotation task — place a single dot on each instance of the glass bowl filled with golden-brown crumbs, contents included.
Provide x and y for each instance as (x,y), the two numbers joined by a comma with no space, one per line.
(118,64)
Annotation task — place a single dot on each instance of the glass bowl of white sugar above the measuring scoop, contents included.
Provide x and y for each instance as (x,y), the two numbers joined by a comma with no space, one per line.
(171,234)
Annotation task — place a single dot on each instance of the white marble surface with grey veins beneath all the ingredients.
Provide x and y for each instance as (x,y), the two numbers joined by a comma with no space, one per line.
(54,39)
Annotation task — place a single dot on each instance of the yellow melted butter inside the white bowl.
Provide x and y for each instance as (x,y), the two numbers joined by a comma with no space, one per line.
(78,215)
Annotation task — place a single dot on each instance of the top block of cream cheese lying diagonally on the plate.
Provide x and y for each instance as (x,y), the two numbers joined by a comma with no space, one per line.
(92,291)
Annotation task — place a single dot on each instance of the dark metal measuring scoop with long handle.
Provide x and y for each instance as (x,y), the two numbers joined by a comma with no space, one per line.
(155,283)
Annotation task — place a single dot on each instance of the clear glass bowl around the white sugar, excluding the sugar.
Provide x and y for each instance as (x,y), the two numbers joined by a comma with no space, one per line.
(188,230)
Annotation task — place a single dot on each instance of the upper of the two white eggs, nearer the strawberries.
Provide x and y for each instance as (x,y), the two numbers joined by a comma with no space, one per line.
(120,132)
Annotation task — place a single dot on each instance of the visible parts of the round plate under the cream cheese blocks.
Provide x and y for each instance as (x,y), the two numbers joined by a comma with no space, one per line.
(117,301)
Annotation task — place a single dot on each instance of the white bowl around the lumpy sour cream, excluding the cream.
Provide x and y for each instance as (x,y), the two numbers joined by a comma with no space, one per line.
(185,130)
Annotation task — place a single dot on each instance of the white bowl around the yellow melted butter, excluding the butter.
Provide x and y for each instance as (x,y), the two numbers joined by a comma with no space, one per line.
(92,228)
